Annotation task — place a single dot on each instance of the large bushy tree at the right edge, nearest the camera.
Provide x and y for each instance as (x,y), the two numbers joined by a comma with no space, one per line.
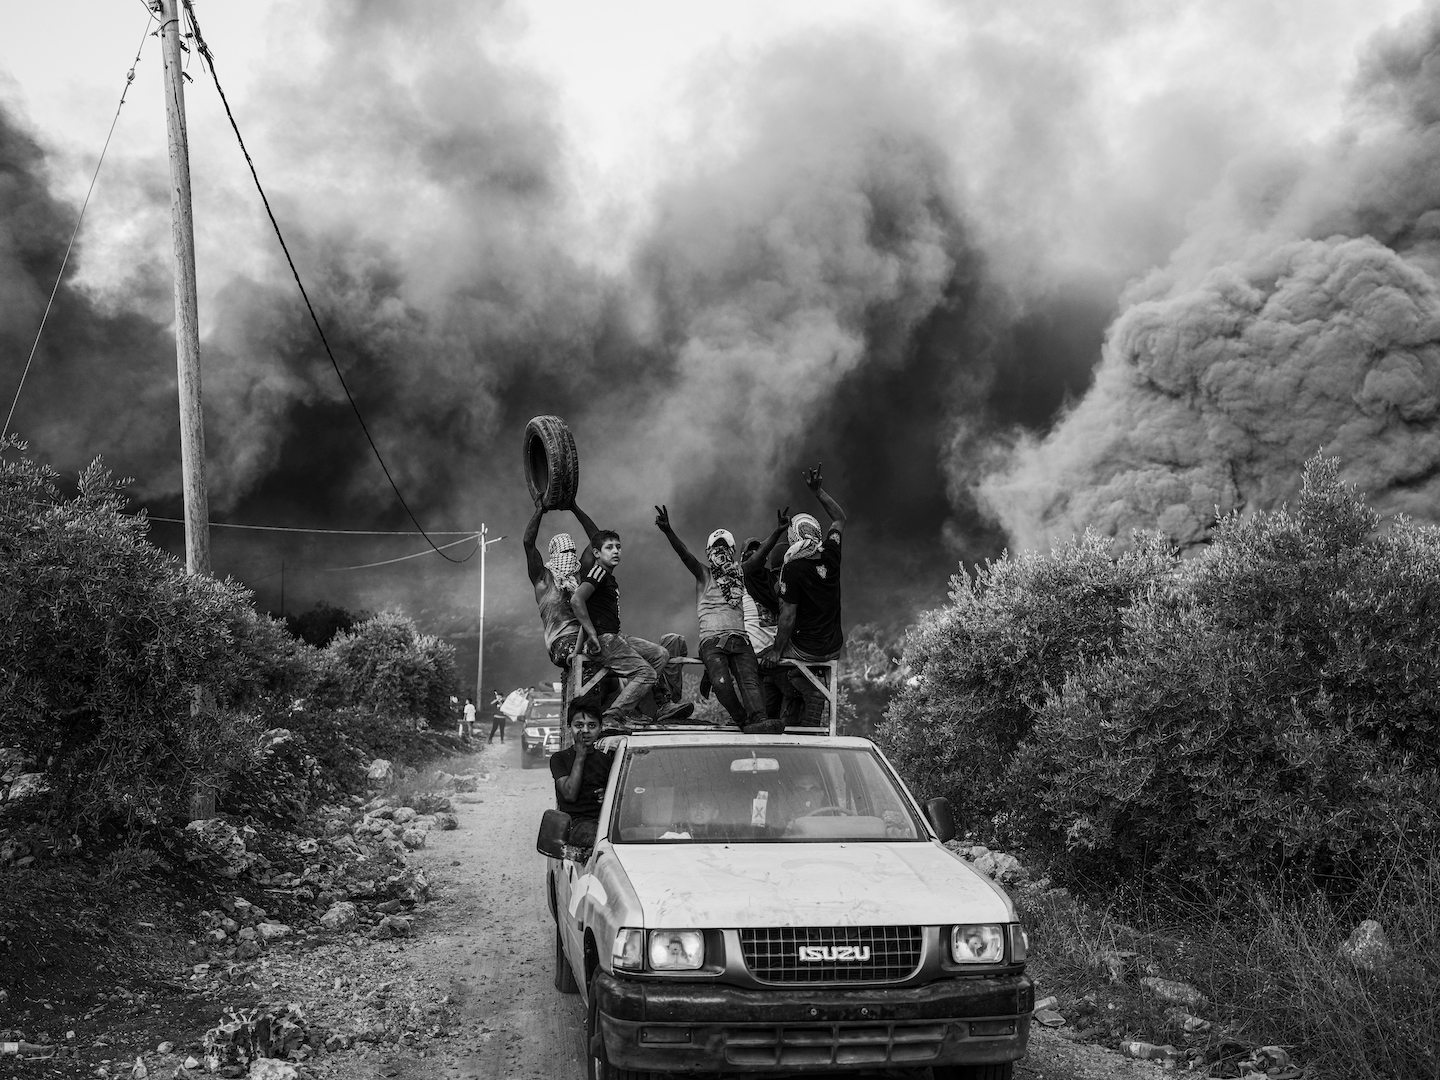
(1272,708)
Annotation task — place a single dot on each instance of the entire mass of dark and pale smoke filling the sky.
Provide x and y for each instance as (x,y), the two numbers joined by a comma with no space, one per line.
(894,247)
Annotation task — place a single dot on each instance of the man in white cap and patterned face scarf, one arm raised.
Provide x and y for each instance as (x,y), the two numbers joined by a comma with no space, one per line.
(725,649)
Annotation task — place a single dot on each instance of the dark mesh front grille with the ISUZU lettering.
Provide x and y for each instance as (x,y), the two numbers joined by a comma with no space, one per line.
(876,954)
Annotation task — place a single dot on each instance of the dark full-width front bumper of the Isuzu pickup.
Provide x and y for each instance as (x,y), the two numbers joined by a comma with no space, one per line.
(708,1027)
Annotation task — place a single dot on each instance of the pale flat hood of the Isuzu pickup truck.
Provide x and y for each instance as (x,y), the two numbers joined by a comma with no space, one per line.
(731,886)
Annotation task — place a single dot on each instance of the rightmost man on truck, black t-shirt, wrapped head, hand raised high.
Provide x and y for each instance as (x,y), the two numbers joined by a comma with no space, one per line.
(809,591)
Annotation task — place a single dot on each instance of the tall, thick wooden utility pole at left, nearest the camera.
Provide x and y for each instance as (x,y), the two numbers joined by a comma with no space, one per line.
(188,325)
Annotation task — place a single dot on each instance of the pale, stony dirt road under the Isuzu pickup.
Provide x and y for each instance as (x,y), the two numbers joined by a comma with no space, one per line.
(489,938)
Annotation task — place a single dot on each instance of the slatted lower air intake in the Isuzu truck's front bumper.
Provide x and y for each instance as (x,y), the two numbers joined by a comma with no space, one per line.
(836,1045)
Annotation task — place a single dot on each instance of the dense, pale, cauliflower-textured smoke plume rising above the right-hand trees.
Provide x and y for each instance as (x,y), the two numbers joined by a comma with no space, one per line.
(1302,315)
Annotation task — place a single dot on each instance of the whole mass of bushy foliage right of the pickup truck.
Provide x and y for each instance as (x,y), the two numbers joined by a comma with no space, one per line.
(1265,709)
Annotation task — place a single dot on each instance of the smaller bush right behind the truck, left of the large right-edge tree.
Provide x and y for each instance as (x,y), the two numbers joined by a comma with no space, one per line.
(984,666)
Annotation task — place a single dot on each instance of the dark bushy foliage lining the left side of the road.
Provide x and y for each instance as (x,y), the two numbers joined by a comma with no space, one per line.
(132,685)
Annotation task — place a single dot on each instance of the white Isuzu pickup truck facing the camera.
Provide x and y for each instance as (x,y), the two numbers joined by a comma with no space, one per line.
(781,905)
